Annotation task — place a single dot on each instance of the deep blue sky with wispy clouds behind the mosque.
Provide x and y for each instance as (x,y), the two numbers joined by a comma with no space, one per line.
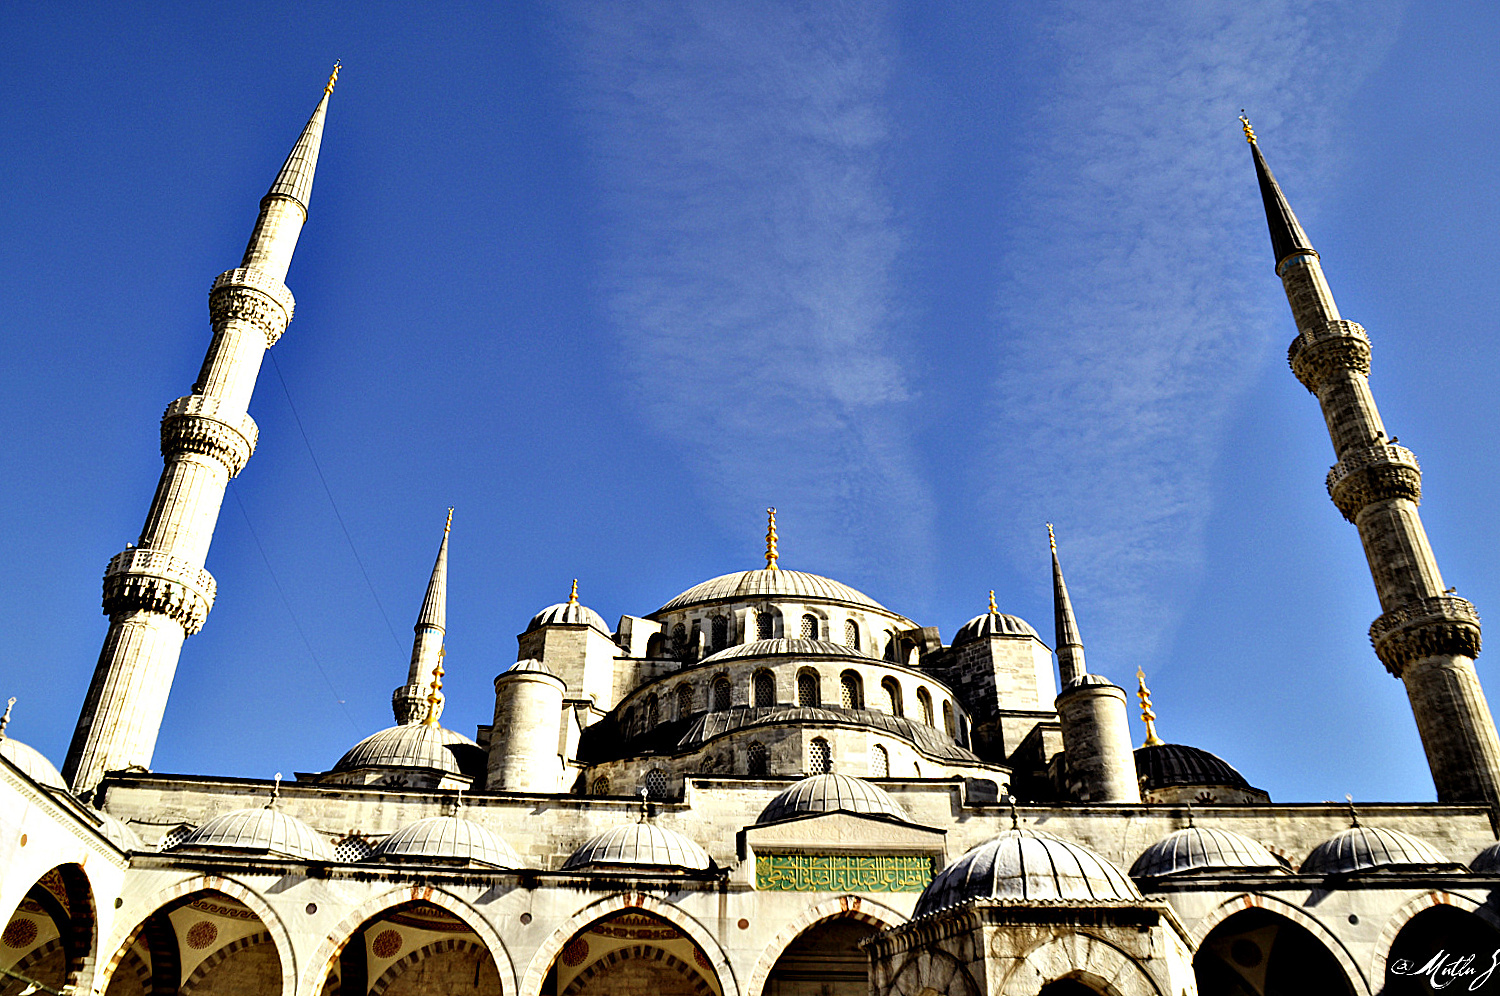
(613,278)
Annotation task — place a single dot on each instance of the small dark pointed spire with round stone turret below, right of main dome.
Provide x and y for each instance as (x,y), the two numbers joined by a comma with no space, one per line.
(1091,710)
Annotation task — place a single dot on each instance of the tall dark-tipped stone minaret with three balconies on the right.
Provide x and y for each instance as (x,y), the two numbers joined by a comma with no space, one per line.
(1426,637)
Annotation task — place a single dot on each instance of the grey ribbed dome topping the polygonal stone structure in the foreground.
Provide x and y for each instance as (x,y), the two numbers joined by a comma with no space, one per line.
(1028,865)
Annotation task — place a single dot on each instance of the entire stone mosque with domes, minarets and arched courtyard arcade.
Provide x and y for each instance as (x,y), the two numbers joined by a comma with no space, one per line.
(772,785)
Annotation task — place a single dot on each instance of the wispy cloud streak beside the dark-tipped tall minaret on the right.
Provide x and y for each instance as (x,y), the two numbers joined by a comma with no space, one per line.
(1129,310)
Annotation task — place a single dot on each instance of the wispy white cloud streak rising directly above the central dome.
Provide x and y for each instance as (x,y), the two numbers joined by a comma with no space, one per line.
(751,259)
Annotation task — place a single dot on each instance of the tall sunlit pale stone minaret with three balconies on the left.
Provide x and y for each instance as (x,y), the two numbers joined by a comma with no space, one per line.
(158,593)
